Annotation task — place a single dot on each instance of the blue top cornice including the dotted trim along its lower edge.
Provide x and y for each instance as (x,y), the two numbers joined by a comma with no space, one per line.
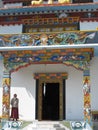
(46,8)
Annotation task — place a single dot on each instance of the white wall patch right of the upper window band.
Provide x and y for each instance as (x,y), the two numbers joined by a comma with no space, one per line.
(88,25)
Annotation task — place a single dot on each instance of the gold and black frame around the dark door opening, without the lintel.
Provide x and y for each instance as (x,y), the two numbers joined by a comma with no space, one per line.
(61,96)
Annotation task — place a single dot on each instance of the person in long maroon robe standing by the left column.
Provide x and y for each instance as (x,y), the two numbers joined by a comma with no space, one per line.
(14,109)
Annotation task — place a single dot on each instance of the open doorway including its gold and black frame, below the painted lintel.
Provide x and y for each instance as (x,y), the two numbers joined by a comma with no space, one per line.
(50,99)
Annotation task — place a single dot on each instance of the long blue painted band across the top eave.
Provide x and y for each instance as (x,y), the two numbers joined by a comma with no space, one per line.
(47,8)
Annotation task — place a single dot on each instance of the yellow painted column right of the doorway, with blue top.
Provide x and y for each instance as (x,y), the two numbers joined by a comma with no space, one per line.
(87,96)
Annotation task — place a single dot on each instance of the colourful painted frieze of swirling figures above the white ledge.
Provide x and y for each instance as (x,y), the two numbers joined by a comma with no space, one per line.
(42,39)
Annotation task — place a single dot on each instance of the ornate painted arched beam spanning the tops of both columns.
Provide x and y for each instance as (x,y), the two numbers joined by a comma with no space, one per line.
(79,58)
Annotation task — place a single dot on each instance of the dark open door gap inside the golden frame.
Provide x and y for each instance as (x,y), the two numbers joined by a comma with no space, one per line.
(50,101)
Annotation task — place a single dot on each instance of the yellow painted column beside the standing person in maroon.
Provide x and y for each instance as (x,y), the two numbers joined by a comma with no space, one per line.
(6,94)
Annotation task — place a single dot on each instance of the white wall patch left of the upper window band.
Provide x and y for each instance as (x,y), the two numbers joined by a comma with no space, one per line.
(10,29)
